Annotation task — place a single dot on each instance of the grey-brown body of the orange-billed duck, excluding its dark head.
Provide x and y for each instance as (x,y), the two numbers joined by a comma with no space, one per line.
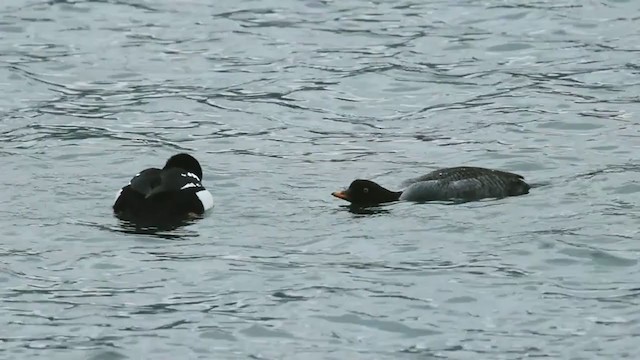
(464,183)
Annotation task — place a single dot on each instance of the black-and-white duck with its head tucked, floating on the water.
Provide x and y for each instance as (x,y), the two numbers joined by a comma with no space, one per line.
(157,196)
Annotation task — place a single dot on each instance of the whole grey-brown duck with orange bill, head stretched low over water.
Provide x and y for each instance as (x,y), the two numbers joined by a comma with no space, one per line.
(462,183)
